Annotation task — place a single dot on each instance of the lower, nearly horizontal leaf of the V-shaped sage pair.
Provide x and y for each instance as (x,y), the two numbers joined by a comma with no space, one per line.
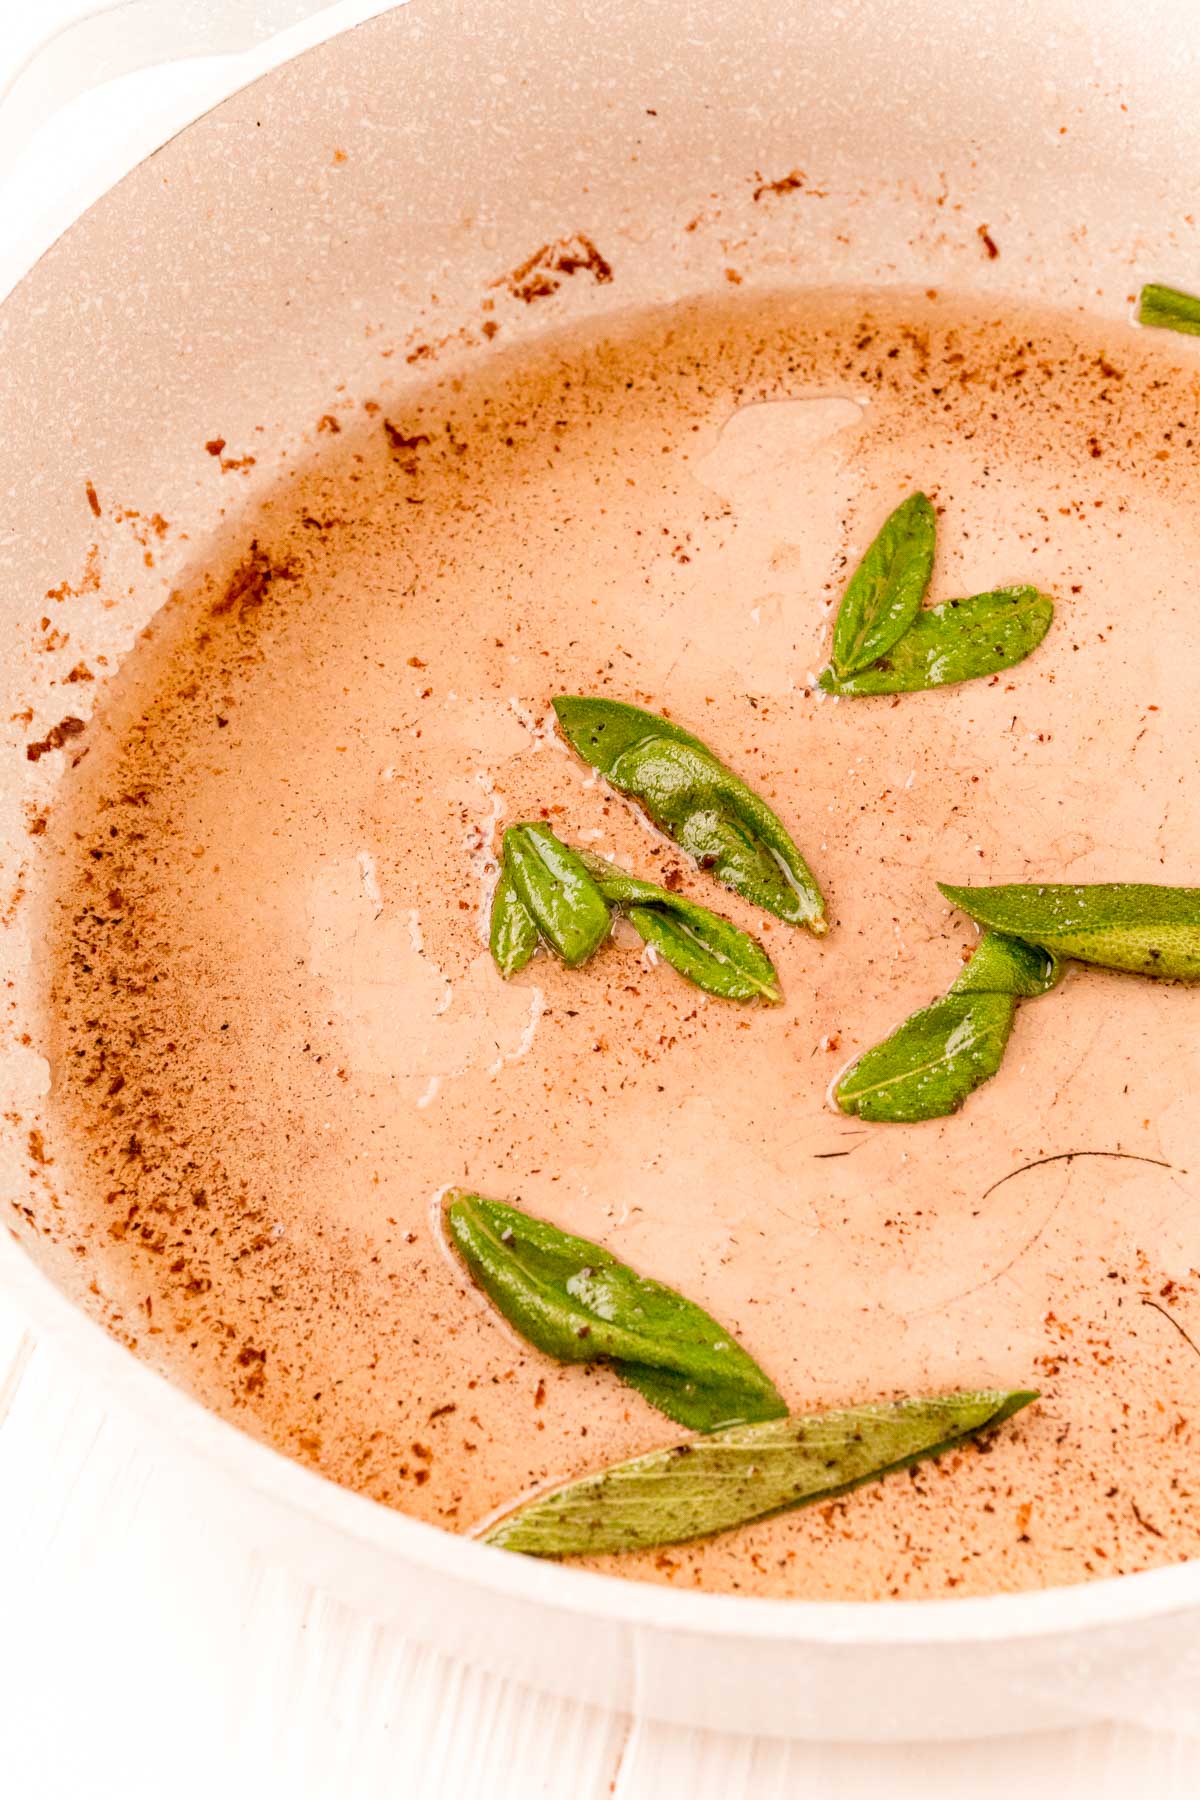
(956,642)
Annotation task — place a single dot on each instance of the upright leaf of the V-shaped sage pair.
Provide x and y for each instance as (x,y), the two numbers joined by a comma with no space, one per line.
(886,589)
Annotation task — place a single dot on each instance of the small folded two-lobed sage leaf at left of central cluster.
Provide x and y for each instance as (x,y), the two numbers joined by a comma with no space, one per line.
(544,894)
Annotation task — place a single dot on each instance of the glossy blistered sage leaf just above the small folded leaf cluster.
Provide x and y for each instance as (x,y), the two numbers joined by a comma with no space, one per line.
(699,802)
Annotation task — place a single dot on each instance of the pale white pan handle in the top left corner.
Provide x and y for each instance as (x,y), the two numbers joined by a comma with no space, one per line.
(127,35)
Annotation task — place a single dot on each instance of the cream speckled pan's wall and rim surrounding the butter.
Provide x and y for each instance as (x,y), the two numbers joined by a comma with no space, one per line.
(372,193)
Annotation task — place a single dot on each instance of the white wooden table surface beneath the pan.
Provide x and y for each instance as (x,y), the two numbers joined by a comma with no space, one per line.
(145,1651)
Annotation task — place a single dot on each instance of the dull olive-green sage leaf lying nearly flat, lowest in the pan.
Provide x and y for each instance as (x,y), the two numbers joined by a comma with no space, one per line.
(742,1475)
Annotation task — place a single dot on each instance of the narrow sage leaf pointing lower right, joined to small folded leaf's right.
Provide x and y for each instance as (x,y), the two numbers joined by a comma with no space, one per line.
(706,949)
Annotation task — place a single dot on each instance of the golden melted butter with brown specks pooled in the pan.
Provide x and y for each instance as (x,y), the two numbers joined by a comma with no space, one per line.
(276,1032)
